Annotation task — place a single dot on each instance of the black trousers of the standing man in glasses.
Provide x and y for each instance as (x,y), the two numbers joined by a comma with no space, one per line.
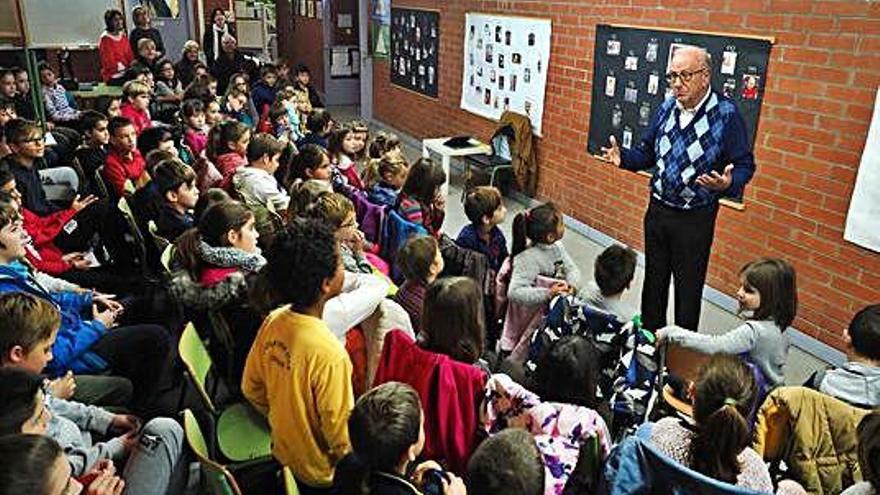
(677,245)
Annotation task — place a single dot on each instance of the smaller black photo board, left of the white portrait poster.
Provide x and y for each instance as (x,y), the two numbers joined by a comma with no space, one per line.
(415,50)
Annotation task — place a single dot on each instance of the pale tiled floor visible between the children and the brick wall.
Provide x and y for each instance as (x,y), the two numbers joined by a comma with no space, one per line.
(714,319)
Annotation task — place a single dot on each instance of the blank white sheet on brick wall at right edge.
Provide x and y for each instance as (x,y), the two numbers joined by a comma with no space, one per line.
(863,220)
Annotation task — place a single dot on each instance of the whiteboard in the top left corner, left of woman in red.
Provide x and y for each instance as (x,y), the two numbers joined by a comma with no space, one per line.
(65,23)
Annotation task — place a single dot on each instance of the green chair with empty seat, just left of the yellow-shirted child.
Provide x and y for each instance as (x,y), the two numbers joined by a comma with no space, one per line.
(242,433)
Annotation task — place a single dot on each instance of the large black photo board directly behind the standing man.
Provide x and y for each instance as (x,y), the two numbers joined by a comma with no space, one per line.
(629,67)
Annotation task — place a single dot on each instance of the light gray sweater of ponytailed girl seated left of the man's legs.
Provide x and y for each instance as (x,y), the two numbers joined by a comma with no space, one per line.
(548,260)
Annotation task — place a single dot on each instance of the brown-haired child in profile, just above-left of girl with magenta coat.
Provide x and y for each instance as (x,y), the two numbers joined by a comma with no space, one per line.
(421,263)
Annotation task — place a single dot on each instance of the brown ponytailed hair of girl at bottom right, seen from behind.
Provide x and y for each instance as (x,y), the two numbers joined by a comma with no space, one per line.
(725,395)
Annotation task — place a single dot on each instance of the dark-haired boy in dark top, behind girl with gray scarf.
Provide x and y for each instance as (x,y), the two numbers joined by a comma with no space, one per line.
(176,183)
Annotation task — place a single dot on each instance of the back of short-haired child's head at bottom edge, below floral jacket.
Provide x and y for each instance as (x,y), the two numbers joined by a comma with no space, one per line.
(508,462)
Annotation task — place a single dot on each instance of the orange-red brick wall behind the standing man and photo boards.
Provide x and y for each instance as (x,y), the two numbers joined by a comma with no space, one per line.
(824,70)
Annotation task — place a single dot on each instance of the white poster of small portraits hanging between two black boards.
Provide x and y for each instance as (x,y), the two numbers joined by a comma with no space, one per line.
(505,66)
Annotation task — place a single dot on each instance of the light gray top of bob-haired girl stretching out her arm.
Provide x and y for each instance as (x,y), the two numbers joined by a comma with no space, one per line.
(765,343)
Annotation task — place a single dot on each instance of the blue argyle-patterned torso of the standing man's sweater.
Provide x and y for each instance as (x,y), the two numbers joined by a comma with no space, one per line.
(685,154)
